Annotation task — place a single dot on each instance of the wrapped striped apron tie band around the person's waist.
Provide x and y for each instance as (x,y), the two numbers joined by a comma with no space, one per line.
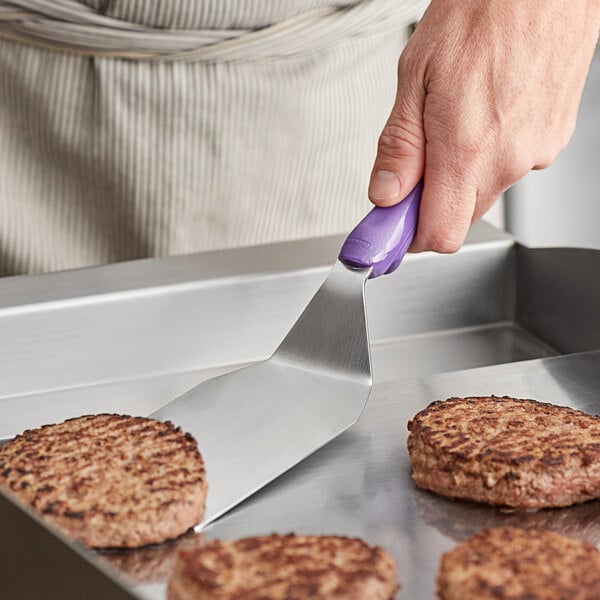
(69,26)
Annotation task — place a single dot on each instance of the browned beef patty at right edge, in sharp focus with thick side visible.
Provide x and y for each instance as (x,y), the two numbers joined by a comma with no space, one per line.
(518,453)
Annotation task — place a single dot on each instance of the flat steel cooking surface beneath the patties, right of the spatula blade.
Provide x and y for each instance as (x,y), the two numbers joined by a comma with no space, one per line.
(360,484)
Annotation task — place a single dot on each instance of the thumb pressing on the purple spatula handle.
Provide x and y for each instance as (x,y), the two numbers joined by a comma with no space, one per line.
(400,159)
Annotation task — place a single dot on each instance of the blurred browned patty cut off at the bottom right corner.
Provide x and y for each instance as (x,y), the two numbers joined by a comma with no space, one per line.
(517,564)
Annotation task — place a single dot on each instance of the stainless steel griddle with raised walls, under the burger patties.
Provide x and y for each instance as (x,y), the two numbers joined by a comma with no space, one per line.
(493,318)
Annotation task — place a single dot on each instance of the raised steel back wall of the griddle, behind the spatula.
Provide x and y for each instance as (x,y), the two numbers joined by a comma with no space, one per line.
(153,318)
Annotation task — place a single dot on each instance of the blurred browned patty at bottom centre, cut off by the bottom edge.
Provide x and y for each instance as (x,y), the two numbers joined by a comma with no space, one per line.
(291,567)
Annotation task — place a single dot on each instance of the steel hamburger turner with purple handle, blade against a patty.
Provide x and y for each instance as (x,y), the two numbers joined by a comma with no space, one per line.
(255,423)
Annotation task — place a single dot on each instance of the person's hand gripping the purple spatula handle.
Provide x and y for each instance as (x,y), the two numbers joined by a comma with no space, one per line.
(487,91)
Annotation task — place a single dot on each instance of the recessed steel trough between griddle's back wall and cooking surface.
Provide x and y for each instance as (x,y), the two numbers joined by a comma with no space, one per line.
(414,355)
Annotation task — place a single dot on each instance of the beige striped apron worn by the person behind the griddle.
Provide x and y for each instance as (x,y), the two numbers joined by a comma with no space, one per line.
(136,128)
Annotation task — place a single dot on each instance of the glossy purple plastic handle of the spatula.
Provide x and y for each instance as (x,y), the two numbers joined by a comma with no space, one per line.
(382,238)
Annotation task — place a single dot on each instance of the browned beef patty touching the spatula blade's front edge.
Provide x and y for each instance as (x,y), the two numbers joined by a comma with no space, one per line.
(109,480)
